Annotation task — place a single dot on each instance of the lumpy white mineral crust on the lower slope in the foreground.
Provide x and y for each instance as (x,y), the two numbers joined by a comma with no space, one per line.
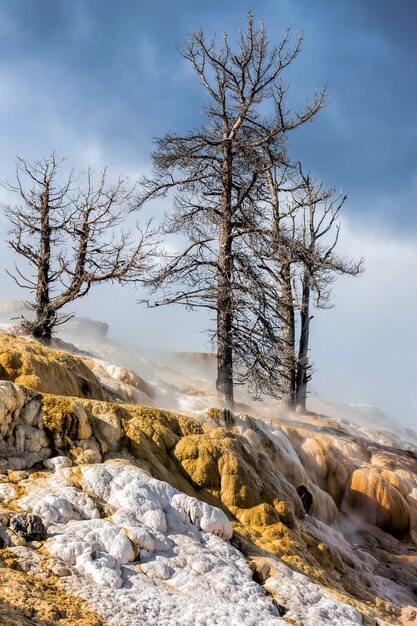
(162,557)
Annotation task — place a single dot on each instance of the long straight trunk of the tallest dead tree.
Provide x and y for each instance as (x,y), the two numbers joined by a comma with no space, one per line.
(224,383)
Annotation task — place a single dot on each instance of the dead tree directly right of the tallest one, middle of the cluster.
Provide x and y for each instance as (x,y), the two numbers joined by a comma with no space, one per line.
(268,285)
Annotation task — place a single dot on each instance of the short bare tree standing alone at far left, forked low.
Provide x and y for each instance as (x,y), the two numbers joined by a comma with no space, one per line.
(70,233)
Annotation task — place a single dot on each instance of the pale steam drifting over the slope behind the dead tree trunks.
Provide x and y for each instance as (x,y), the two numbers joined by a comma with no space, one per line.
(185,381)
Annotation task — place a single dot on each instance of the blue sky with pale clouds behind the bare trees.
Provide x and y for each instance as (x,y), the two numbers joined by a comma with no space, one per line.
(96,80)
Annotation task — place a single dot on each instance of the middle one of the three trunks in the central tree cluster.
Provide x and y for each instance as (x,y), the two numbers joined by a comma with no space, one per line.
(287,314)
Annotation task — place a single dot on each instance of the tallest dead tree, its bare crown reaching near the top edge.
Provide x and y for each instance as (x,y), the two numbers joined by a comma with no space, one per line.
(214,171)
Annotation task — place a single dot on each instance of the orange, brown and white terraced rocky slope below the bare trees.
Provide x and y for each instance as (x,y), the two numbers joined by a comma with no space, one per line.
(115,511)
